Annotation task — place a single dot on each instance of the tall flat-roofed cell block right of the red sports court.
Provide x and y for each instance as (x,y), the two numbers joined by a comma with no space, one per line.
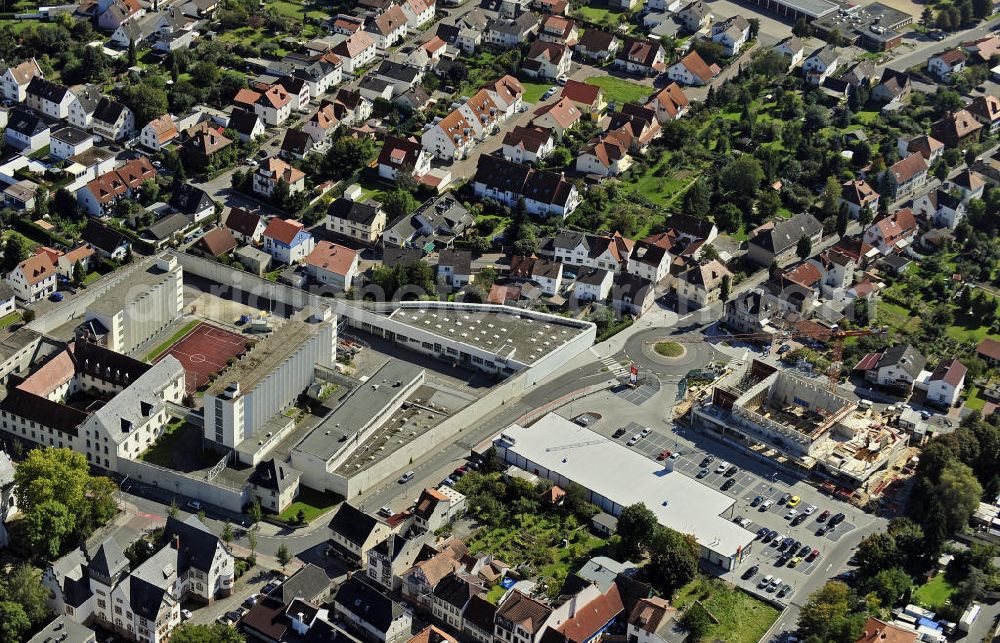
(268,378)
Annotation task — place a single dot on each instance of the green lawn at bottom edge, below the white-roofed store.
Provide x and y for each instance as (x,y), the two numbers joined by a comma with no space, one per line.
(741,617)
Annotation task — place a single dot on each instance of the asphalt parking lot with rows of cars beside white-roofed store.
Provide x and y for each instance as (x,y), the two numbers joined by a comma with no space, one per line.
(745,487)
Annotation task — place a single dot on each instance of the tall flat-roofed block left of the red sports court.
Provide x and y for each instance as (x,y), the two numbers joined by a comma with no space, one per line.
(139,305)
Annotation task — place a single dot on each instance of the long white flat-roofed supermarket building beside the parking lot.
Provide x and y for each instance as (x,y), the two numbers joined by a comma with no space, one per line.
(616,477)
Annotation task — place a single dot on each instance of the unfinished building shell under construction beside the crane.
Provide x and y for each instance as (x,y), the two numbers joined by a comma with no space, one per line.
(798,421)
